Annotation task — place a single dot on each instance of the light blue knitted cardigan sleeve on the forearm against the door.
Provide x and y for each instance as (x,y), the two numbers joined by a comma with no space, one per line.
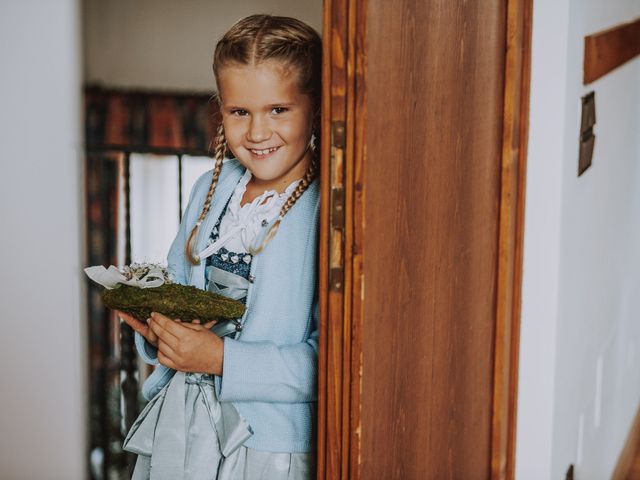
(266,372)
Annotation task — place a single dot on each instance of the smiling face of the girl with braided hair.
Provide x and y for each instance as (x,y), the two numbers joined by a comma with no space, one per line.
(267,122)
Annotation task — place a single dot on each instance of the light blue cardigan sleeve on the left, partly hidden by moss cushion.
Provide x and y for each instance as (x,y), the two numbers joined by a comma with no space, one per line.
(176,261)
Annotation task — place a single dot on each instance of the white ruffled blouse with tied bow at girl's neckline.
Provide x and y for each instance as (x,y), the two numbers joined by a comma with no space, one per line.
(240,225)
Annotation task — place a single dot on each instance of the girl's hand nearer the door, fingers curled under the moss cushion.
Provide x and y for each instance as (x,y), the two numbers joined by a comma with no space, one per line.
(187,347)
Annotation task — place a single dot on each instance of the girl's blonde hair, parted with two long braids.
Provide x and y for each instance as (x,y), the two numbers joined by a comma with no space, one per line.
(252,40)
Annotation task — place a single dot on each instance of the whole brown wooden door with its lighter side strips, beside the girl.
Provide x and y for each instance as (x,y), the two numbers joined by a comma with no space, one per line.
(422,183)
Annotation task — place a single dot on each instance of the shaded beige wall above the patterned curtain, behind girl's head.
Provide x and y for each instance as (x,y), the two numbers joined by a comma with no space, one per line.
(165,44)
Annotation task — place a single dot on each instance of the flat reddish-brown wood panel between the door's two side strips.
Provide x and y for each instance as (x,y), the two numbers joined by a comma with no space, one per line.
(432,169)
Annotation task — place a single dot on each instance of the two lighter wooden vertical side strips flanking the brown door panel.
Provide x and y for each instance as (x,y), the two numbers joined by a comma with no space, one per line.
(341,309)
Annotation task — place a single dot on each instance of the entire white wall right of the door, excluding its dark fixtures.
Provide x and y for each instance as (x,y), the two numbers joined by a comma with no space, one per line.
(580,340)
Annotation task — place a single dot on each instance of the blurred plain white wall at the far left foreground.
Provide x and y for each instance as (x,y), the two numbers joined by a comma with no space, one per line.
(42,344)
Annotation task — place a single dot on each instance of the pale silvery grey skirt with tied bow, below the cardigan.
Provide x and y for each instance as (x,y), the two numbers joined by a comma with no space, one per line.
(185,433)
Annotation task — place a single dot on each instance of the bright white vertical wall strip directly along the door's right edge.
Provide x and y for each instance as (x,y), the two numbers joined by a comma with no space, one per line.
(543,223)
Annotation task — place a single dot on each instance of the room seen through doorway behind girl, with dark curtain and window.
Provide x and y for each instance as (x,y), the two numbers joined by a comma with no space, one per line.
(149,124)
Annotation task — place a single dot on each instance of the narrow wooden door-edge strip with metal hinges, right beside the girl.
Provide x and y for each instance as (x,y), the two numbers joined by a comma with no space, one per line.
(336,337)
